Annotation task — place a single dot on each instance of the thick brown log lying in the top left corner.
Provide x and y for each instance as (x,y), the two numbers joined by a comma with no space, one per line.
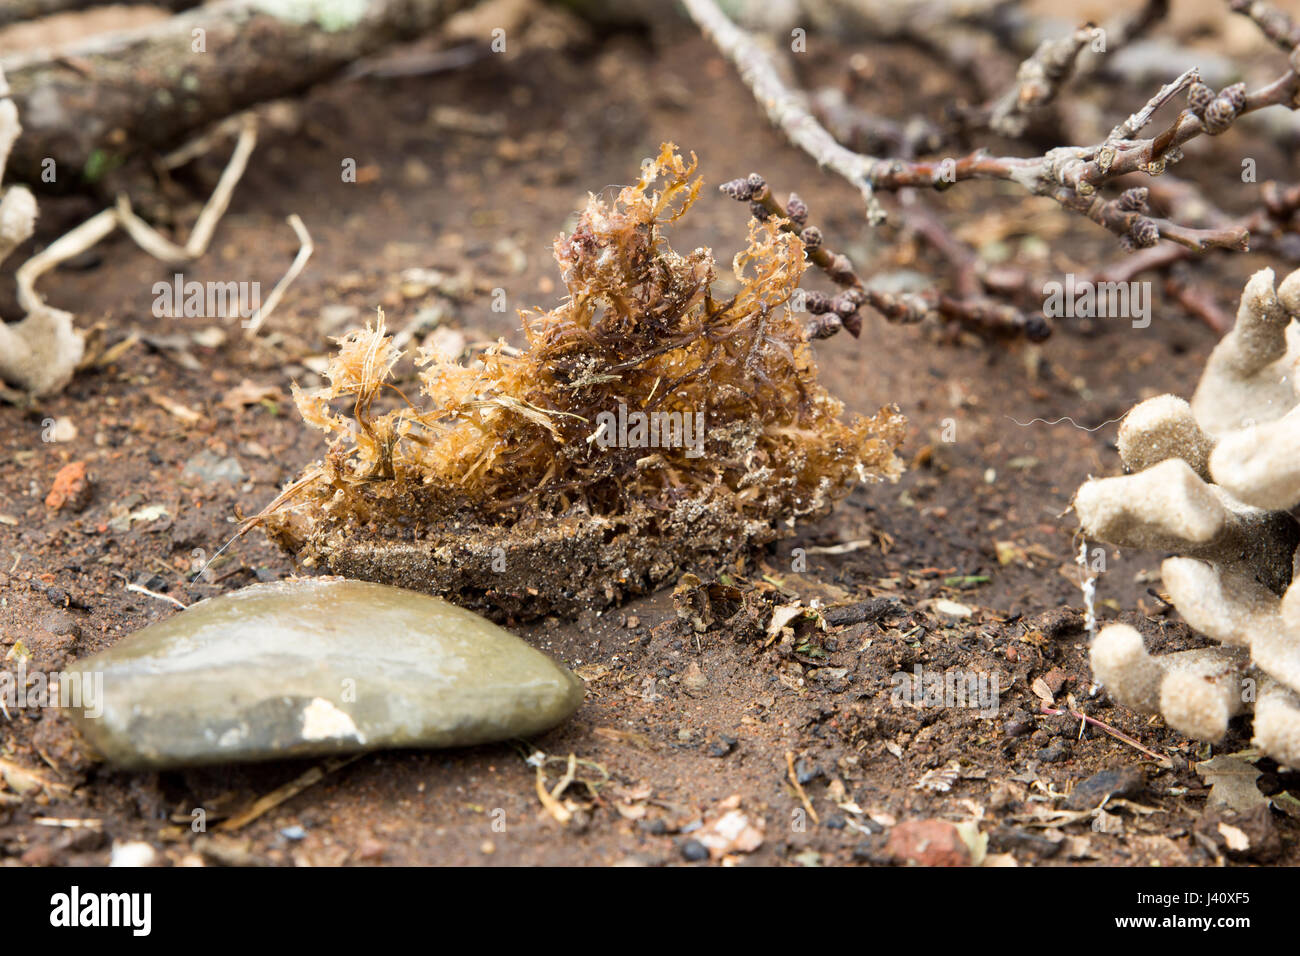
(110,97)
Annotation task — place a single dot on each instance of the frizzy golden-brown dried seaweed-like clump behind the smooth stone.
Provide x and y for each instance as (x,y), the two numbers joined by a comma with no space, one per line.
(647,427)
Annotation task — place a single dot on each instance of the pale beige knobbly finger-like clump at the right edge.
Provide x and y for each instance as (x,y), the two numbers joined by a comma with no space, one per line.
(1216,482)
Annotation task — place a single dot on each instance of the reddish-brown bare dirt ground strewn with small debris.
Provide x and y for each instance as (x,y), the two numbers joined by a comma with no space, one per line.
(674,746)
